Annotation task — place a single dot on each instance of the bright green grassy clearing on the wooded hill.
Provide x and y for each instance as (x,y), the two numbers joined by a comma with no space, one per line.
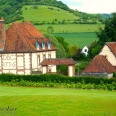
(46,14)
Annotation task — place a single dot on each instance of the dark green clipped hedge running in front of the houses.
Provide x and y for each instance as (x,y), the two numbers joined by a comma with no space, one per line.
(56,79)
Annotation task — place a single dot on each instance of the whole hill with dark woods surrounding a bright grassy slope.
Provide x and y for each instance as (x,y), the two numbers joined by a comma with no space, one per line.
(14,10)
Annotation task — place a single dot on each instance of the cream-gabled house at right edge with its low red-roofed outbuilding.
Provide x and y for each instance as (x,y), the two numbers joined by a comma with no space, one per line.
(103,64)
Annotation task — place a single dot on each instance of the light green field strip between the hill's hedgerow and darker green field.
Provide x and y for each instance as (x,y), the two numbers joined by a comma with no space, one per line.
(71,28)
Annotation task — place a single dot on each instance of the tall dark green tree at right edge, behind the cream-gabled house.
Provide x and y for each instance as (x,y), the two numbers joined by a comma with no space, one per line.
(108,34)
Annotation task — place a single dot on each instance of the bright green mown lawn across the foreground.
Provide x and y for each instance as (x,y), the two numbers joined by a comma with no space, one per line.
(57,102)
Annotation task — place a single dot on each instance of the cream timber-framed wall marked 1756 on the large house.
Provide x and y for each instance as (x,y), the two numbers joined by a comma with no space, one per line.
(20,63)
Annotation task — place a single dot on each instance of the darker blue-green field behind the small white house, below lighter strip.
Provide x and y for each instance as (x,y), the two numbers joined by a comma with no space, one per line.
(80,39)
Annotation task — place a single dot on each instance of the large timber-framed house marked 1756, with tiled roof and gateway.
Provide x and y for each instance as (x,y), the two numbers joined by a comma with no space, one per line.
(23,49)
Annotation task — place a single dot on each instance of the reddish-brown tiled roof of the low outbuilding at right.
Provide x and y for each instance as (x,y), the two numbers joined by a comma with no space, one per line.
(99,65)
